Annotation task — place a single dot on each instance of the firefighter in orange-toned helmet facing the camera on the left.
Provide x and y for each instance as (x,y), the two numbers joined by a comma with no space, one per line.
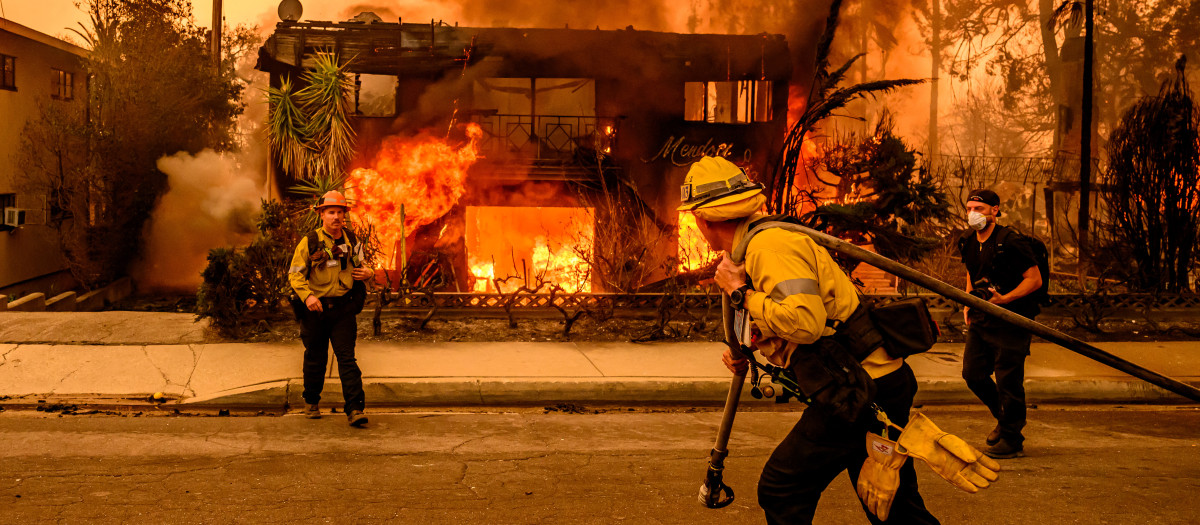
(323,275)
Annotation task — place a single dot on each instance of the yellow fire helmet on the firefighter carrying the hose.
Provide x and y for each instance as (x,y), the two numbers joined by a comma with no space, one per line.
(716,182)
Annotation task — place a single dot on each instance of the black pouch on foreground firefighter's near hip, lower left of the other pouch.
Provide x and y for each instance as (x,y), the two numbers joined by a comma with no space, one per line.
(830,377)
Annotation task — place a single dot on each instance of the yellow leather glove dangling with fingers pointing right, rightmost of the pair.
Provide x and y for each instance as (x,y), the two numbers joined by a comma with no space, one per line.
(952,458)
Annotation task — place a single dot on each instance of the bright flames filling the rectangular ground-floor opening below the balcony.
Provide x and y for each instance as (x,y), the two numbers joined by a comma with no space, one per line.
(548,245)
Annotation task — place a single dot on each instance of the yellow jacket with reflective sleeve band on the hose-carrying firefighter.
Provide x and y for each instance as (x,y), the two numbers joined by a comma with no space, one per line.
(797,287)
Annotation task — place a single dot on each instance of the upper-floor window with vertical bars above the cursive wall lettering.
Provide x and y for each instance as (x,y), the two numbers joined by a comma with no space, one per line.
(728,102)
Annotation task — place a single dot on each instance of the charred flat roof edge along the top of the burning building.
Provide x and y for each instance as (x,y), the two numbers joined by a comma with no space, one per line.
(392,49)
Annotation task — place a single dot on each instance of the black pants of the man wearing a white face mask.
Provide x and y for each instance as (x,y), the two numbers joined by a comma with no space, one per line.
(1001,351)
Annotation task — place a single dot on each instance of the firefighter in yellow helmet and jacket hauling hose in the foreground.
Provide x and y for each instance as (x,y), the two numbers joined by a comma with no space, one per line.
(795,294)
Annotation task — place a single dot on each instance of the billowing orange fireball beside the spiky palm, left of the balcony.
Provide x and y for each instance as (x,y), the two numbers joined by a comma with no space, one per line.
(424,173)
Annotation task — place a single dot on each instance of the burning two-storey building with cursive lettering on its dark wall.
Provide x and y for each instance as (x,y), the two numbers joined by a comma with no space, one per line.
(550,102)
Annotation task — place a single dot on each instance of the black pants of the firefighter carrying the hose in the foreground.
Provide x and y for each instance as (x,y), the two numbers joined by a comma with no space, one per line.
(821,446)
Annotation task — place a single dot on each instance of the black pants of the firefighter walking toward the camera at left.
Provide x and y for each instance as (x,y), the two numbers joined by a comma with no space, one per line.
(317,331)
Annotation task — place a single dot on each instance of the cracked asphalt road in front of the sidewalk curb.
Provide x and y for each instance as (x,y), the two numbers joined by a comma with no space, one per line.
(1085,464)
